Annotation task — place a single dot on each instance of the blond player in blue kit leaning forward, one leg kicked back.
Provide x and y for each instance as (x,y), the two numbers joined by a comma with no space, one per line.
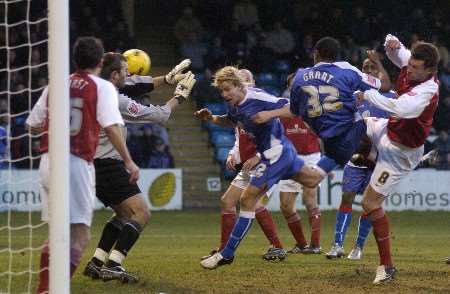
(279,158)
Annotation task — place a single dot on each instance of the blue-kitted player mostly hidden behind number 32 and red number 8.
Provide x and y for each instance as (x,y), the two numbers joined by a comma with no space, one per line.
(357,174)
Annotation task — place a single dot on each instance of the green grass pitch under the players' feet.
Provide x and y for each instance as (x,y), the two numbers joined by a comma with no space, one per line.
(166,258)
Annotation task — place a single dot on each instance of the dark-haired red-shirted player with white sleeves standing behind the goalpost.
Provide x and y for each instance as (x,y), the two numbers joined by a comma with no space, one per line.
(94,105)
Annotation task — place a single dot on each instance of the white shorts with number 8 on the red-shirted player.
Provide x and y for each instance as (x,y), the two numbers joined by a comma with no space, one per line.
(394,162)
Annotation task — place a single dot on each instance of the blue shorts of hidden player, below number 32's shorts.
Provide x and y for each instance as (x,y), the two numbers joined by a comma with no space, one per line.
(355,179)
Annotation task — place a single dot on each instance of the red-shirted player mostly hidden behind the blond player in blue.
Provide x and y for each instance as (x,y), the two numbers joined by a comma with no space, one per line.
(244,153)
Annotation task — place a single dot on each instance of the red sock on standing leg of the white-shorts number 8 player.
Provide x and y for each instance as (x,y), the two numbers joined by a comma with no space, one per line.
(380,225)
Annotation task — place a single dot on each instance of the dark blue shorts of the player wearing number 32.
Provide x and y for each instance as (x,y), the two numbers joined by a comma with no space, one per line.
(342,147)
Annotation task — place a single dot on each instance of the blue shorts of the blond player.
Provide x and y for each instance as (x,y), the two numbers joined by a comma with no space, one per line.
(284,168)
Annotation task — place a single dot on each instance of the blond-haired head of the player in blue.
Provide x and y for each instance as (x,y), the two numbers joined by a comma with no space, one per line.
(231,84)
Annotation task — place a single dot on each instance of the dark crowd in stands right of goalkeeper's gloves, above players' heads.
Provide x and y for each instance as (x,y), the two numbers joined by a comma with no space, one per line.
(251,34)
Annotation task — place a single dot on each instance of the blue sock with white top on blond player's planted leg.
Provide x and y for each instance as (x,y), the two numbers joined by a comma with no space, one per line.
(243,224)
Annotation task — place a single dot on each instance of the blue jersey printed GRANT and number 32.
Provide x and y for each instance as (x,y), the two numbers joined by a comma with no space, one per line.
(323,96)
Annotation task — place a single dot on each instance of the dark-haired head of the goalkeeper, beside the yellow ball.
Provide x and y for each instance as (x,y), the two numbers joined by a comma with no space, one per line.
(115,69)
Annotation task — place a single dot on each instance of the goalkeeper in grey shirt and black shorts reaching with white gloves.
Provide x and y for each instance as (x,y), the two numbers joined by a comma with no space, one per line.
(131,212)
